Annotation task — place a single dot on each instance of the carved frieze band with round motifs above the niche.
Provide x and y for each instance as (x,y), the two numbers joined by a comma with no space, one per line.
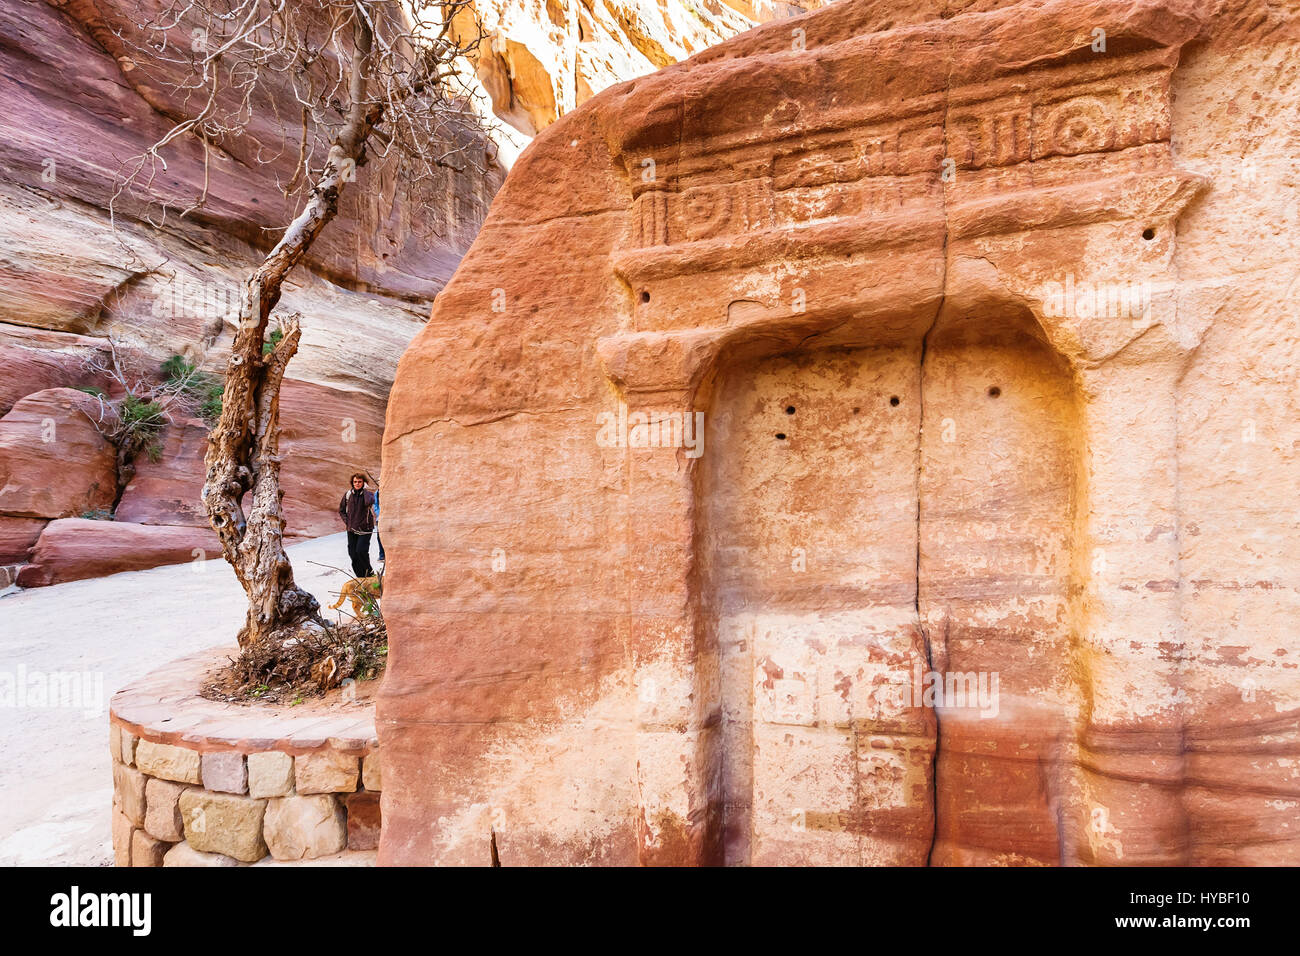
(876,170)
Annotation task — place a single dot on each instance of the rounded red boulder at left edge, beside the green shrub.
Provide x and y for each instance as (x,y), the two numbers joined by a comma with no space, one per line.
(54,462)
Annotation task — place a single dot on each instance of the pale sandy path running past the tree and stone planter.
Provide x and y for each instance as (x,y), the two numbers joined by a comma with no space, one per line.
(55,776)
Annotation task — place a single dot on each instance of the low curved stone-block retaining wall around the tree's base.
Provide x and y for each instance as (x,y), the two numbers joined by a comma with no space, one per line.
(202,784)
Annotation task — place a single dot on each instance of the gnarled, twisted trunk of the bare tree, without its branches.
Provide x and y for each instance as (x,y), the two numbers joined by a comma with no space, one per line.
(244,449)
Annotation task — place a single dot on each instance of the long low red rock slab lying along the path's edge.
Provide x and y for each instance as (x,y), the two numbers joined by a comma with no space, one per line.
(72,550)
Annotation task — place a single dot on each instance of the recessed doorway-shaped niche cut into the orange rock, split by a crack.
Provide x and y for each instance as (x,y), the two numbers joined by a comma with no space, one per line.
(873,516)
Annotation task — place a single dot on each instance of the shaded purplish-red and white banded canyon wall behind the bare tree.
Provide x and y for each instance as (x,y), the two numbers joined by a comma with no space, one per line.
(68,283)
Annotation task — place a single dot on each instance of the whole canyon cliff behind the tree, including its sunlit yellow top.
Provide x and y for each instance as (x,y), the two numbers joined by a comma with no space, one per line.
(366,288)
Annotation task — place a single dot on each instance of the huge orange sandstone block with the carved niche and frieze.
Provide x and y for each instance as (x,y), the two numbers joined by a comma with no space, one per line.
(996,384)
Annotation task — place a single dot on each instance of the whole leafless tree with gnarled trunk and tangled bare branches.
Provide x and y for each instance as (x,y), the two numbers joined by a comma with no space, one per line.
(372,80)
